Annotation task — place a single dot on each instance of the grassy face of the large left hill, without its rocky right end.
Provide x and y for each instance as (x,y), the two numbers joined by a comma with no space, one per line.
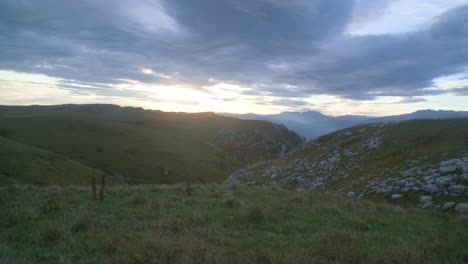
(145,146)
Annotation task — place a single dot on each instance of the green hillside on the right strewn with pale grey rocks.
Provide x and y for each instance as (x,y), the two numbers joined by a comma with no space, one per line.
(420,162)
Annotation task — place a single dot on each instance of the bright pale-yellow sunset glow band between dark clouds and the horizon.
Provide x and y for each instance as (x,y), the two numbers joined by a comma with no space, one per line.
(221,97)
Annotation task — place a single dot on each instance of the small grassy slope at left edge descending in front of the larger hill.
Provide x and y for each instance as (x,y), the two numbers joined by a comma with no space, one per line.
(23,163)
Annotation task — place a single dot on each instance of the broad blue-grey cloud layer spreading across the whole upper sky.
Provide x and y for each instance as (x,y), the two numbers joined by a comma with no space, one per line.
(287,49)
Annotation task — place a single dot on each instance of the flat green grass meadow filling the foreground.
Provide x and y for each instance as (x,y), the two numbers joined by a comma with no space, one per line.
(161,224)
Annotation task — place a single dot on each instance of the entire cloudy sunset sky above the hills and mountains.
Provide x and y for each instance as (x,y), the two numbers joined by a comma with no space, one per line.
(371,57)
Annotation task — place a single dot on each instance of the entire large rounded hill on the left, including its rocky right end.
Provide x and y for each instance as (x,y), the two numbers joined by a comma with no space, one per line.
(142,146)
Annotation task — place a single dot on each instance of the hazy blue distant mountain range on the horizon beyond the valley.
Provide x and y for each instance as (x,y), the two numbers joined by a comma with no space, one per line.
(313,124)
